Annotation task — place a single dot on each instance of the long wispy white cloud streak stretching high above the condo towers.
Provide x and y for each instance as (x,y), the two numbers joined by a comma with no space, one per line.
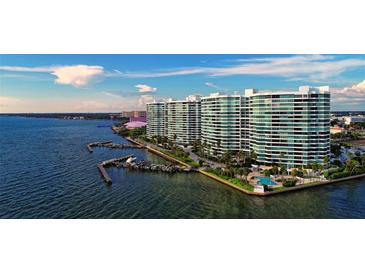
(315,67)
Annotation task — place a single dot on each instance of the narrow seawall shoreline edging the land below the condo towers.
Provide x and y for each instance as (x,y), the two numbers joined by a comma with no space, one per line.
(226,182)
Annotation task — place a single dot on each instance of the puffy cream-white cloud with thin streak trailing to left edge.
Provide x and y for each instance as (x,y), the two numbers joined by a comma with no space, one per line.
(77,75)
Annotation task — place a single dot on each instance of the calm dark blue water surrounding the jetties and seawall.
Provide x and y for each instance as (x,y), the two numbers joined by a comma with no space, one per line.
(47,172)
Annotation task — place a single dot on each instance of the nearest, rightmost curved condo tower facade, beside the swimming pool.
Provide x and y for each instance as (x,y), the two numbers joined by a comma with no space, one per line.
(291,128)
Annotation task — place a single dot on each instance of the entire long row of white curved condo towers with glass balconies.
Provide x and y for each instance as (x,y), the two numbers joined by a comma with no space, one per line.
(286,127)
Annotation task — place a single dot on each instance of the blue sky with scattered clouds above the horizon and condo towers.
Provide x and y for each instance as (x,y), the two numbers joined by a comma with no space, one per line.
(98,83)
